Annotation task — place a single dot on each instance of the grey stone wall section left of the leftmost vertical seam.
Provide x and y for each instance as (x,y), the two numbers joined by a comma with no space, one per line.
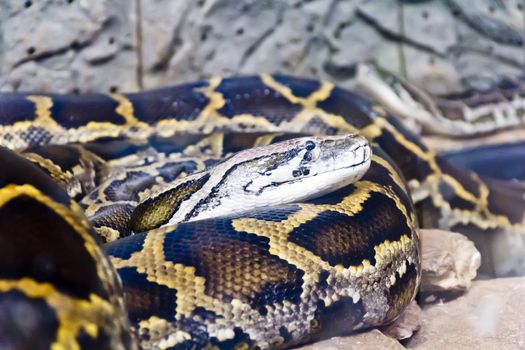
(68,46)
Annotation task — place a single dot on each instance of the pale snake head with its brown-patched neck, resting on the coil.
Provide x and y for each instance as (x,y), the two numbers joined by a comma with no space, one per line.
(280,173)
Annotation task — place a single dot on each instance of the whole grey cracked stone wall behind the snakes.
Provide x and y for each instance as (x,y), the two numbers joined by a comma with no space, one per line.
(129,45)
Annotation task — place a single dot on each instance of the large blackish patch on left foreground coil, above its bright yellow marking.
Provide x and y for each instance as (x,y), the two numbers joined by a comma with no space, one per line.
(37,243)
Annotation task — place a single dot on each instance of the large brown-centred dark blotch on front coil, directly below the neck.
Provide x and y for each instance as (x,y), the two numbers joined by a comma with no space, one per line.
(234,264)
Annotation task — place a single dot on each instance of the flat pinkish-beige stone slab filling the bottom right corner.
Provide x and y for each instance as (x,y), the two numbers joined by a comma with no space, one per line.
(489,316)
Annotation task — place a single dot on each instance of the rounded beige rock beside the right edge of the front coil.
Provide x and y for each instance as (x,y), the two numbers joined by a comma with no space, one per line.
(449,261)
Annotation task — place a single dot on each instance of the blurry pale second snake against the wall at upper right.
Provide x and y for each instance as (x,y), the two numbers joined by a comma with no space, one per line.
(473,112)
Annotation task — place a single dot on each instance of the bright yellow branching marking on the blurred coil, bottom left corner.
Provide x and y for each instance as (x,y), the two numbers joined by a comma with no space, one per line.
(74,315)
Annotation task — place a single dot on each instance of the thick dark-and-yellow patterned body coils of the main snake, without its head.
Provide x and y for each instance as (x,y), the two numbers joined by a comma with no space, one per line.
(76,170)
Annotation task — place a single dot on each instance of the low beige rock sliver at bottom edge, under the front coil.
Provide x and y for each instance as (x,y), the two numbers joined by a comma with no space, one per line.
(371,340)
